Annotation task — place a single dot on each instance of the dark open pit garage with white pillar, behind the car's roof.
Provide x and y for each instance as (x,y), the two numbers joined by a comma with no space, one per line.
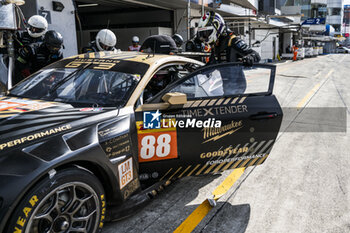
(124,18)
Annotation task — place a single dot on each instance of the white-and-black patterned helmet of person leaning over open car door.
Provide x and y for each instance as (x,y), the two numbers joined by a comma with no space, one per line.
(210,27)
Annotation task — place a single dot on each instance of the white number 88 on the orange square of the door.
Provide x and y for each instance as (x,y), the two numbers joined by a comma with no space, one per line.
(149,148)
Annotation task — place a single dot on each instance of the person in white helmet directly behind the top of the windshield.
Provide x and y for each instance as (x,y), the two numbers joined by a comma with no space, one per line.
(105,41)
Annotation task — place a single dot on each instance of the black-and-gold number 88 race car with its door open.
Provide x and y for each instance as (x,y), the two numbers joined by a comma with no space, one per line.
(92,137)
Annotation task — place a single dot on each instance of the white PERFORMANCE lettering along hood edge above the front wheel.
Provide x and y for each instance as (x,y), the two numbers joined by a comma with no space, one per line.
(35,136)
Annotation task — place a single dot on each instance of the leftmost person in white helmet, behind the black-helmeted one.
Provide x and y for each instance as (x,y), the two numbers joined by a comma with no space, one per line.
(37,27)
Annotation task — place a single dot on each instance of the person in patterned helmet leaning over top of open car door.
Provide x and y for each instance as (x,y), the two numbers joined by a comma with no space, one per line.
(225,45)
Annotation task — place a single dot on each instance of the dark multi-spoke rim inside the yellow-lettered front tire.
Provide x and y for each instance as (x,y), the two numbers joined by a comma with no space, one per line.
(71,207)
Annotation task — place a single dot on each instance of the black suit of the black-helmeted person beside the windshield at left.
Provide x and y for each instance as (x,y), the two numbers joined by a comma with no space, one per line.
(32,58)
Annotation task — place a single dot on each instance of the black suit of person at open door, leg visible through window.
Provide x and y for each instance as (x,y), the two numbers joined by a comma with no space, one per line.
(231,48)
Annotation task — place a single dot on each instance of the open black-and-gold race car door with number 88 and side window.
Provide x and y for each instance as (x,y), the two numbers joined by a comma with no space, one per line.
(230,119)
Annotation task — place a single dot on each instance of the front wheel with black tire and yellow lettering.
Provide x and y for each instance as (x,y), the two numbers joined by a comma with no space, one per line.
(73,200)
